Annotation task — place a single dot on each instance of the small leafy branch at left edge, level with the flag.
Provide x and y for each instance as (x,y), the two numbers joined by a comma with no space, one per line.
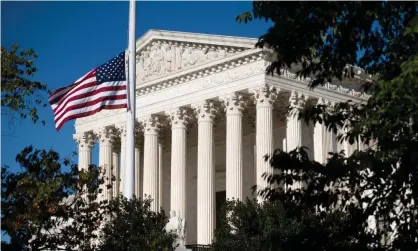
(19,94)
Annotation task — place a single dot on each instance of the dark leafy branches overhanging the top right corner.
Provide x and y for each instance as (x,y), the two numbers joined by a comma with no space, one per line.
(324,37)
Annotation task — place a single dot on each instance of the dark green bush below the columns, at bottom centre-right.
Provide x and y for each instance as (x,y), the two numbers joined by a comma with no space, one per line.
(271,226)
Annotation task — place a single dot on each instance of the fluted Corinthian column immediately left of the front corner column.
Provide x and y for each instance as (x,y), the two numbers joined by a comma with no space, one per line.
(234,106)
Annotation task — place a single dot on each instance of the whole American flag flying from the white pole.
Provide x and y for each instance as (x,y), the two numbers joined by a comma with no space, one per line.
(103,87)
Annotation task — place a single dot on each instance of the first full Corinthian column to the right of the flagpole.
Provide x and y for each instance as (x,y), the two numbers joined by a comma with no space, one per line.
(151,129)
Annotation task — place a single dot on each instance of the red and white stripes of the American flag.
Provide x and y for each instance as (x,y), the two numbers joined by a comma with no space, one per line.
(84,98)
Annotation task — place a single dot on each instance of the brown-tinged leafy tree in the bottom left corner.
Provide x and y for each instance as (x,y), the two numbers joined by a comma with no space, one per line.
(44,207)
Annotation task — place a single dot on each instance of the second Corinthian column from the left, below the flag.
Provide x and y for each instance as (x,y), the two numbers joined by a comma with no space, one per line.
(106,138)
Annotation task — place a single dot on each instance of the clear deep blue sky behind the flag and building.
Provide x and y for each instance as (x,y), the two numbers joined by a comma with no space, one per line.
(73,37)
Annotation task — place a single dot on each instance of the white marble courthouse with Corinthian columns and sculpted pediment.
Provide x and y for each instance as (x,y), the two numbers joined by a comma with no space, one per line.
(207,114)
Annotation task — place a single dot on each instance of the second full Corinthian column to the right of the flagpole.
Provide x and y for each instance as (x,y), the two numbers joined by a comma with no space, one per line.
(178,119)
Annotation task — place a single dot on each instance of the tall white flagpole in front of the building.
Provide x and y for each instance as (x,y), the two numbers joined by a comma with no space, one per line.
(129,184)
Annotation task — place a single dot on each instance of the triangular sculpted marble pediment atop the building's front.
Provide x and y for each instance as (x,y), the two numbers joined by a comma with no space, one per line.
(161,53)
